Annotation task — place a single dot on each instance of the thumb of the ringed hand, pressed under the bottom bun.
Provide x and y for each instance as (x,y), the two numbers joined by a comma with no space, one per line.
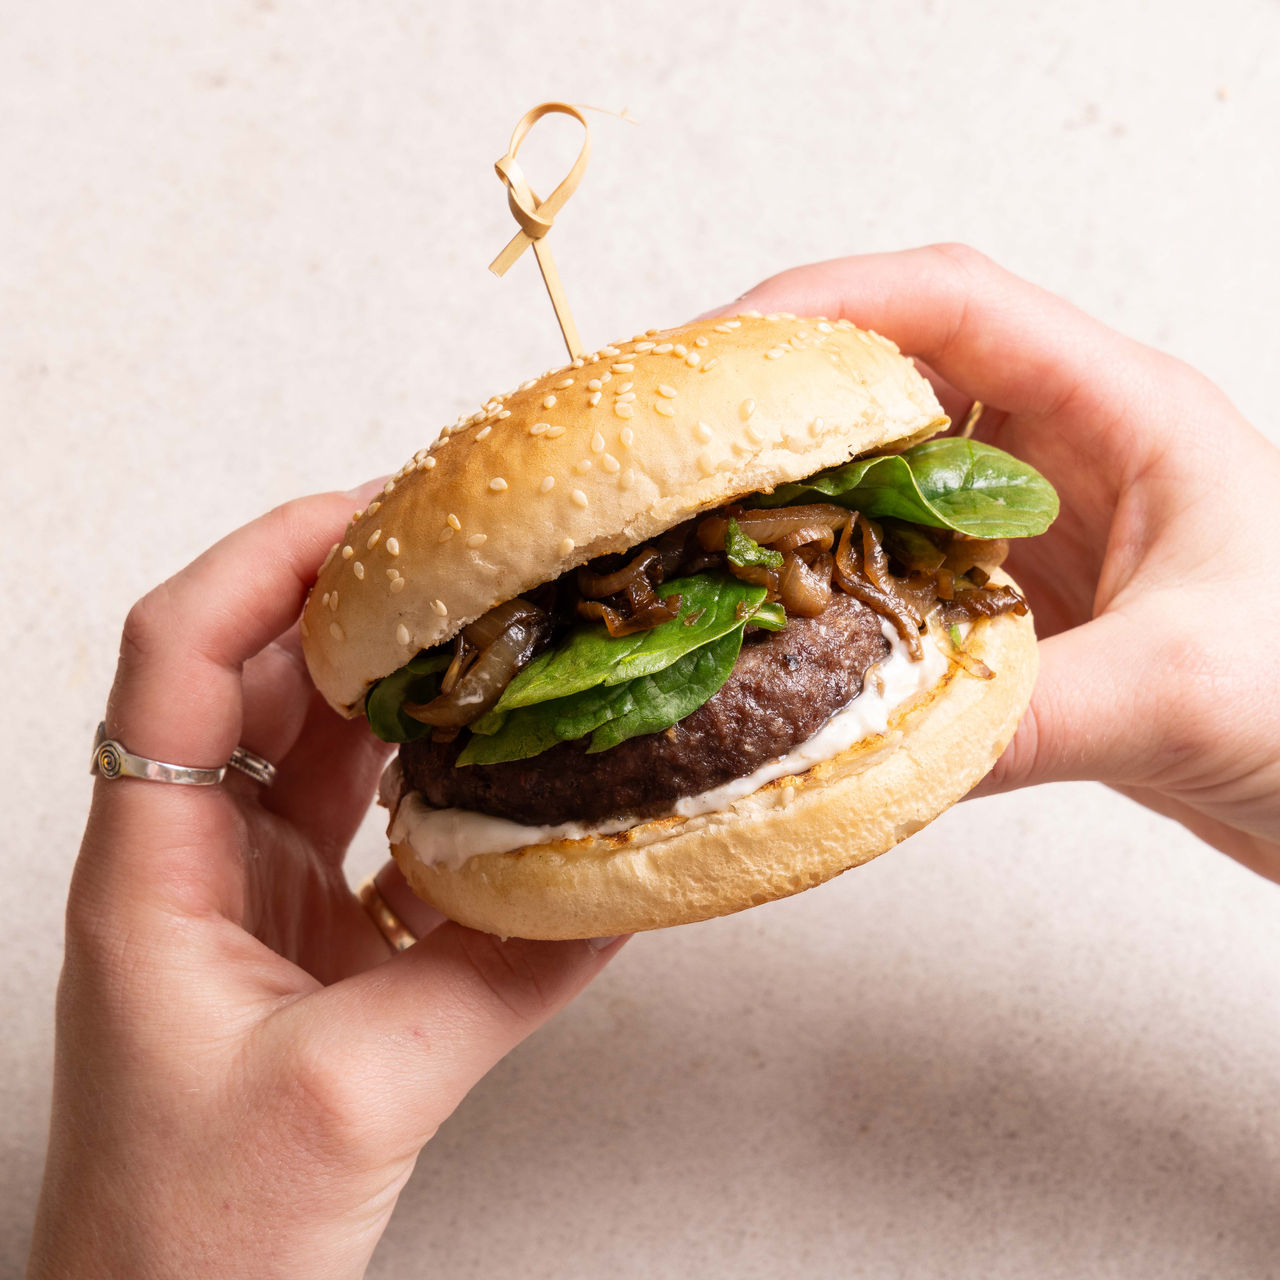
(414,1035)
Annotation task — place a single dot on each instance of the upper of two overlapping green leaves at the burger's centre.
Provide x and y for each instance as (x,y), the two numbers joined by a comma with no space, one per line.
(711,605)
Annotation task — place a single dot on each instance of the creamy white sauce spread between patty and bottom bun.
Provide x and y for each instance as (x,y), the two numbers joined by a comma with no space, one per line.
(449,838)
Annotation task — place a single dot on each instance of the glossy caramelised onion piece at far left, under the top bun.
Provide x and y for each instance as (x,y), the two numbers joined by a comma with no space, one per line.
(506,638)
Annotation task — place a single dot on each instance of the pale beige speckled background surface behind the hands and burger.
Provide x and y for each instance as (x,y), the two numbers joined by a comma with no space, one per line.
(243,253)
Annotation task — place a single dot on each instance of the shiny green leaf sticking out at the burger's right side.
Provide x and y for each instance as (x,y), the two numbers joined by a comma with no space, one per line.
(950,483)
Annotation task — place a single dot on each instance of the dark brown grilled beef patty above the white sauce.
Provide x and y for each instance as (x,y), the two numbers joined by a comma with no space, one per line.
(785,687)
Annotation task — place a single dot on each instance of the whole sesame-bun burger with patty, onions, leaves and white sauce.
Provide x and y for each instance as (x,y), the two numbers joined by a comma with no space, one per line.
(696,623)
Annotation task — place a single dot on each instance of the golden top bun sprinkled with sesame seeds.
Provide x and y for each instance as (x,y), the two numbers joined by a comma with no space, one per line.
(597,458)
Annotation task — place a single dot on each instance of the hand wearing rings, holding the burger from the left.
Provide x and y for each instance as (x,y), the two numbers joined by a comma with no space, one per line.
(244,1075)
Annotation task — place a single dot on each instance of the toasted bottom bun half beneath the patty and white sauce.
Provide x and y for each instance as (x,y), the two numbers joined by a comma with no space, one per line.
(788,836)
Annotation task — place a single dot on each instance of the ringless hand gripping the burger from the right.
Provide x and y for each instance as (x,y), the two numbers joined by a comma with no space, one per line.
(1155,592)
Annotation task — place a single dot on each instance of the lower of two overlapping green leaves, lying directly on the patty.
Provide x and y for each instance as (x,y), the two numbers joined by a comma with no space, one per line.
(612,714)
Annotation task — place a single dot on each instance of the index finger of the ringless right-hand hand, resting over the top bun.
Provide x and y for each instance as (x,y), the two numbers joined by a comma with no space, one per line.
(989,333)
